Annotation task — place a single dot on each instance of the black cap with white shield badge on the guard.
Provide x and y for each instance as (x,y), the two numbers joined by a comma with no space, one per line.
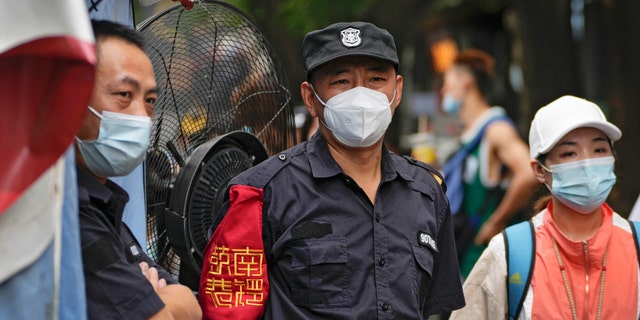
(347,39)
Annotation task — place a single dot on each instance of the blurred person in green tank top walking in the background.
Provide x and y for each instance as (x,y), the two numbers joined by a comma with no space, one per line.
(498,182)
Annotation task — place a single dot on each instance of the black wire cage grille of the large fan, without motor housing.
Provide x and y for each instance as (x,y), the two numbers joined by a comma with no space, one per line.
(216,73)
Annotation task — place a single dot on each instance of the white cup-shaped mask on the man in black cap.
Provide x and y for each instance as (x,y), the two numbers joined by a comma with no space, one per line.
(357,117)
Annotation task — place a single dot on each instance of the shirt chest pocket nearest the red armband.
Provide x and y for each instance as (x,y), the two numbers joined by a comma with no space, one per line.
(318,272)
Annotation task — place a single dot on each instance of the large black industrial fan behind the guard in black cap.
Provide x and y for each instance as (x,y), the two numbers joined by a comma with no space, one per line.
(223,107)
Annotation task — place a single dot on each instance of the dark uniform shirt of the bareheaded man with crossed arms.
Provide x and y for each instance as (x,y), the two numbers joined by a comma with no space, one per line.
(115,285)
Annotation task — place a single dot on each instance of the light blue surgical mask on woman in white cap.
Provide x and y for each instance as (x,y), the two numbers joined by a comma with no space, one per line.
(583,185)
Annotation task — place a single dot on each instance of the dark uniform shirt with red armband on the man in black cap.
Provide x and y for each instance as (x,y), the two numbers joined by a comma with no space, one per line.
(321,250)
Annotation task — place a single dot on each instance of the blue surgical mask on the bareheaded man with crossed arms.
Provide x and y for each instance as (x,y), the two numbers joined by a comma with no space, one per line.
(121,144)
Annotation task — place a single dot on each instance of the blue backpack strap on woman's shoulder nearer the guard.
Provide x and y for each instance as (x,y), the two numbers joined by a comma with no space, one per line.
(519,241)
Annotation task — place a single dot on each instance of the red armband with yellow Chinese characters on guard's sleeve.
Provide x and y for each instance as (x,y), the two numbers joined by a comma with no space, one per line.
(234,282)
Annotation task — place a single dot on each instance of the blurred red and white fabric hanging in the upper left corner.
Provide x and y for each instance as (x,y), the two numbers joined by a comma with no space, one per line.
(47,60)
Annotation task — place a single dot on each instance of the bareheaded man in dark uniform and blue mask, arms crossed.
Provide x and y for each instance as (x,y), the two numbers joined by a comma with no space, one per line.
(121,281)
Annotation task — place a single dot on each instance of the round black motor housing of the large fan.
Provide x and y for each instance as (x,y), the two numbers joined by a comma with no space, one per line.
(200,188)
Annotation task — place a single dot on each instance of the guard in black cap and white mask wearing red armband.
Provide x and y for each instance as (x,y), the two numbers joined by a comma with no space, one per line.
(337,227)
